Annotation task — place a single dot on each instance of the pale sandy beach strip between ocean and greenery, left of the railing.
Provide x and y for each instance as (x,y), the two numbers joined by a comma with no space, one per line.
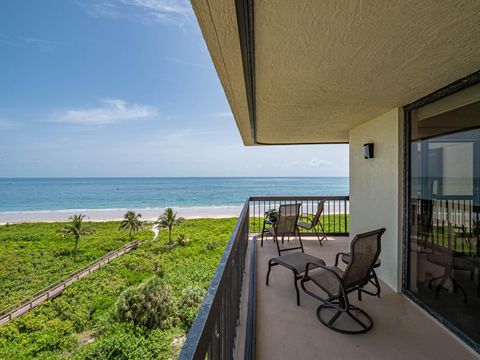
(14,217)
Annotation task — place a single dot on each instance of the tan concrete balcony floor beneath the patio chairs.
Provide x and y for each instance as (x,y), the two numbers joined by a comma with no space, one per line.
(401,329)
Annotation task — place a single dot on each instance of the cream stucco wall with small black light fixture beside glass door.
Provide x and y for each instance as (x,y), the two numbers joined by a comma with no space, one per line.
(375,188)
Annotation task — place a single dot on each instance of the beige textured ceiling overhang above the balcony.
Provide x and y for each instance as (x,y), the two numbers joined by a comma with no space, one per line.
(324,67)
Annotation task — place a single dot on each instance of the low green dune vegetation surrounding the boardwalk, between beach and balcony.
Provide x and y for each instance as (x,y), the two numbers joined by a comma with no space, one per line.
(79,323)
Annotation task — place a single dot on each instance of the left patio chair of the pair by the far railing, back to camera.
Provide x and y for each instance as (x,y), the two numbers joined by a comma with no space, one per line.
(286,225)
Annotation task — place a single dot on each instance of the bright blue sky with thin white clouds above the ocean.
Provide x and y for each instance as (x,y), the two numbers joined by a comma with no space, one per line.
(124,88)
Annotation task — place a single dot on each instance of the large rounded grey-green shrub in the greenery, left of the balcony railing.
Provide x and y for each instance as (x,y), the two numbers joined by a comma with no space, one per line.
(150,305)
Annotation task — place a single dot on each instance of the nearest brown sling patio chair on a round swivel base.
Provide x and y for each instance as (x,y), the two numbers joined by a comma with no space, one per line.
(336,312)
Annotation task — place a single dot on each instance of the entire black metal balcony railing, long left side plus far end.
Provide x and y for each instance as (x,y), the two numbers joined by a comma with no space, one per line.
(213,333)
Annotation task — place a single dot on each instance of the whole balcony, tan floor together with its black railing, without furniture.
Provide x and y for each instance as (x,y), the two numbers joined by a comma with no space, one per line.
(242,318)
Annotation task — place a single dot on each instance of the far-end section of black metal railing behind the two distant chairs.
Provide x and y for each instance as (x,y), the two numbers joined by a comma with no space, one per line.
(335,217)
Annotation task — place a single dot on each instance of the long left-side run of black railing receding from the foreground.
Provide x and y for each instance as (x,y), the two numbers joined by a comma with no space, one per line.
(214,330)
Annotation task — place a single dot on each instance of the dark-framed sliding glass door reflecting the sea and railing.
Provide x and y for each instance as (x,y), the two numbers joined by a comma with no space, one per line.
(443,249)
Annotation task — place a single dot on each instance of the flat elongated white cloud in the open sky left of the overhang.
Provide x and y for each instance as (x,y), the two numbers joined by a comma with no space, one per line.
(113,111)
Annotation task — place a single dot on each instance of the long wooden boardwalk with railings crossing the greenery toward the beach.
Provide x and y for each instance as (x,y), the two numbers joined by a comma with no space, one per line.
(22,307)
